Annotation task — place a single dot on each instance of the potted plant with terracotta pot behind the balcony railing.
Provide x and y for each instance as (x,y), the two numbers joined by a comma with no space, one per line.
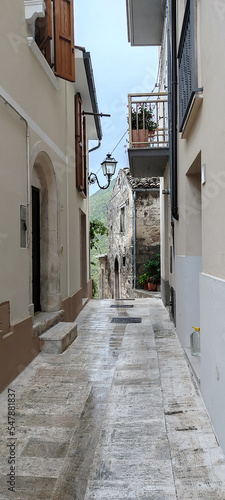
(143,124)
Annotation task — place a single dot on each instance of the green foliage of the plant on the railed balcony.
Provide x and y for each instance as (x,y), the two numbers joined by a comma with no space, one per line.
(142,117)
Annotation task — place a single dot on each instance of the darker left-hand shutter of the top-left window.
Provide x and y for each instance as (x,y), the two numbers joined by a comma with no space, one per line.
(43,32)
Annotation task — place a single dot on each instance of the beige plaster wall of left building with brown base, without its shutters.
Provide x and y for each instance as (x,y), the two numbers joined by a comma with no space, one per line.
(37,143)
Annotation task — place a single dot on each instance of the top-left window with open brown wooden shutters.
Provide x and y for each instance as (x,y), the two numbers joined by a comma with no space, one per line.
(55,37)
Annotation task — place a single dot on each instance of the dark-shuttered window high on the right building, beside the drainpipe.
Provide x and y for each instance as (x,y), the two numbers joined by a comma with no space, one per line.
(187,63)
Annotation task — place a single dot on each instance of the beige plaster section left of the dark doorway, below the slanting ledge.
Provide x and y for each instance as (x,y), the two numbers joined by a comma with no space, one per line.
(13,193)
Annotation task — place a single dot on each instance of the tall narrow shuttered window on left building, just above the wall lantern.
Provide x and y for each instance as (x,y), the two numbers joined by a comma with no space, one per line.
(80,147)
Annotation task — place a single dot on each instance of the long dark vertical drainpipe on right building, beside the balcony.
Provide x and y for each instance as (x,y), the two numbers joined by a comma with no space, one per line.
(173,27)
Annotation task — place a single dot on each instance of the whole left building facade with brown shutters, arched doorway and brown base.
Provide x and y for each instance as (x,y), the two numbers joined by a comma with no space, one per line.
(44,248)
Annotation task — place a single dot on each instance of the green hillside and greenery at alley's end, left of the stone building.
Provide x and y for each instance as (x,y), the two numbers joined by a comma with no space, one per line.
(98,210)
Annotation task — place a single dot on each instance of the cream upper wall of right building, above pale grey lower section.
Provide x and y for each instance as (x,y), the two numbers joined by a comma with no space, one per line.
(206,138)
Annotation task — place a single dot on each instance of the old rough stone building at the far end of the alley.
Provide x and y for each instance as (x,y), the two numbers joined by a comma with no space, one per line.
(134,234)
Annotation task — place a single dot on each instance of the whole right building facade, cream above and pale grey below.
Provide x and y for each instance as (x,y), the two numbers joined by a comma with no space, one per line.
(191,37)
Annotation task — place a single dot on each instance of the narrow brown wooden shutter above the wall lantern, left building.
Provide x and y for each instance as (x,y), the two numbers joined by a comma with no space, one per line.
(79,143)
